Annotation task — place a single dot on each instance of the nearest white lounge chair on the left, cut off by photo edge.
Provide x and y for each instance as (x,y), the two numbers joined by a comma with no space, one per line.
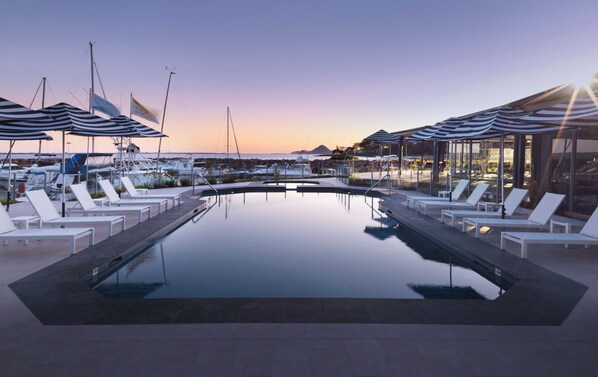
(8,231)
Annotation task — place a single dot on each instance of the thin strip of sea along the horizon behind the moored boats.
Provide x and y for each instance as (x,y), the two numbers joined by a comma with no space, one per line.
(199,156)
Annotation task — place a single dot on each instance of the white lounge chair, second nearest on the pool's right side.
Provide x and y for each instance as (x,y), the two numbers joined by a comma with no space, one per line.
(537,219)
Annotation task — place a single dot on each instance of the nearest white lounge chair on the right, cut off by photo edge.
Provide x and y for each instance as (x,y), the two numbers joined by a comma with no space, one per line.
(587,236)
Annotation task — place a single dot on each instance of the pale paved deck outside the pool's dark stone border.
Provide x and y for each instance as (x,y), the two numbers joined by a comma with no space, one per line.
(28,348)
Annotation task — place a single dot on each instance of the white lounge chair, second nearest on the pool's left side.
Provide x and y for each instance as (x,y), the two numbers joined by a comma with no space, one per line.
(49,215)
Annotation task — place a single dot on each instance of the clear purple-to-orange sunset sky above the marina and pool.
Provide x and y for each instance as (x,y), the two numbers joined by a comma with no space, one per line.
(295,74)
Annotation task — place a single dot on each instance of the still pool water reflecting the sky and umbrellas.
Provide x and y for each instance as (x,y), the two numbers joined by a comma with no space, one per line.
(293,244)
